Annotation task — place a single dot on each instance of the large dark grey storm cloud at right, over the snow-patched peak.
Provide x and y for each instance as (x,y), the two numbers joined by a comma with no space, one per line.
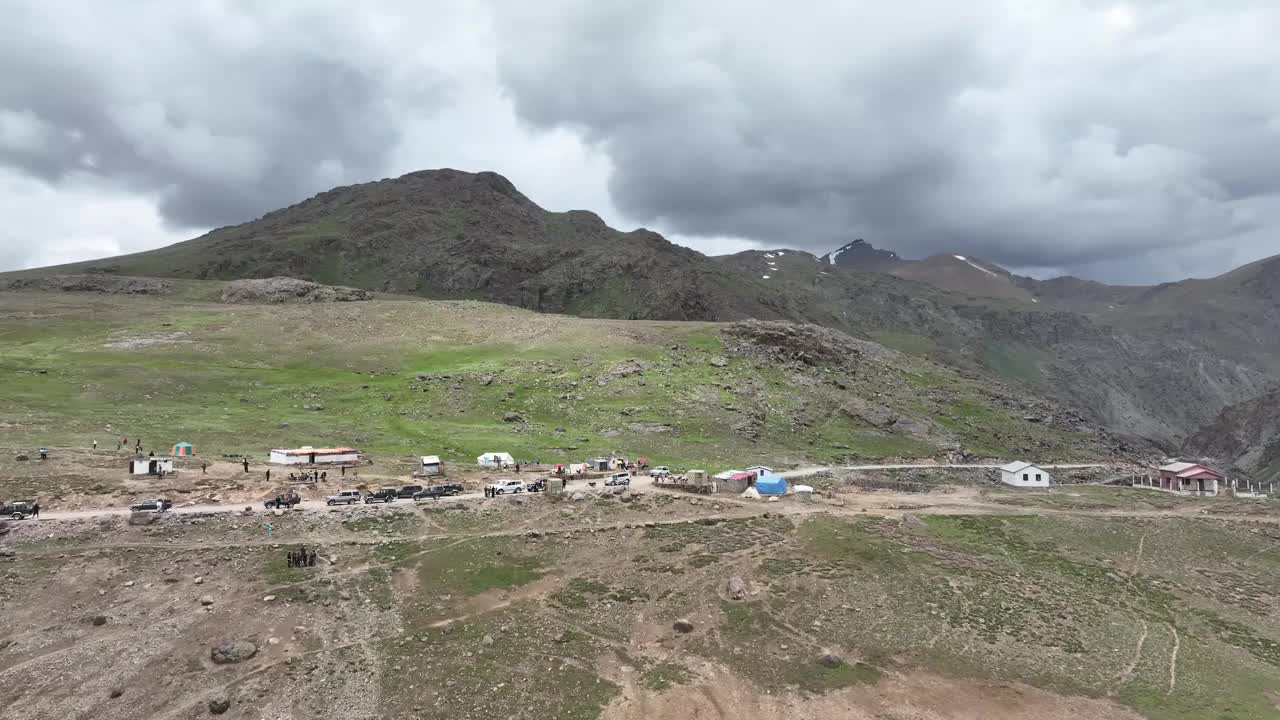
(1082,136)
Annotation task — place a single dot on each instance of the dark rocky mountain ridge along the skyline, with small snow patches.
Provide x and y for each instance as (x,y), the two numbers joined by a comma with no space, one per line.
(1156,362)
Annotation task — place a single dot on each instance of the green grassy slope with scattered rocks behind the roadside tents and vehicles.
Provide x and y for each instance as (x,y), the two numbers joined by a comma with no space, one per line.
(464,379)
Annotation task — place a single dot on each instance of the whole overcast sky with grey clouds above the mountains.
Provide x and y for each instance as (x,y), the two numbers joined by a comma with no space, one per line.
(1123,142)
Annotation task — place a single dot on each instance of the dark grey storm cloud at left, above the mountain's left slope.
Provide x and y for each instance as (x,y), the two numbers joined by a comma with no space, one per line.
(223,110)
